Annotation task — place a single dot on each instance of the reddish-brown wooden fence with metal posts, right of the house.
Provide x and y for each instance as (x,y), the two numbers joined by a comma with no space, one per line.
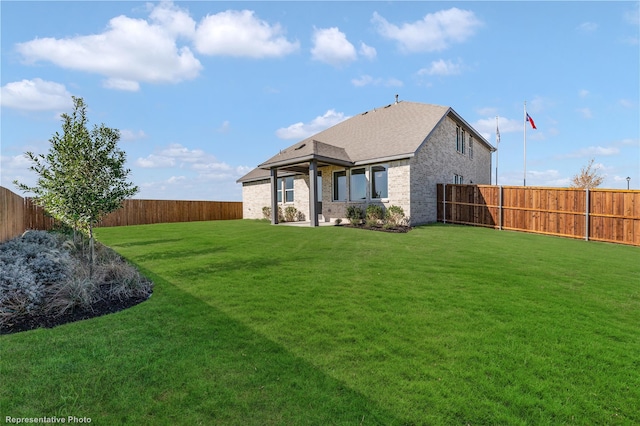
(594,214)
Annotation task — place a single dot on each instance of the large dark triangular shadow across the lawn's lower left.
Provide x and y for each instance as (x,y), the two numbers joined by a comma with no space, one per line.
(173,360)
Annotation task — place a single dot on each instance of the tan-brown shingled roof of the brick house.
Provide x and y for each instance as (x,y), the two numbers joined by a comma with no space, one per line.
(391,132)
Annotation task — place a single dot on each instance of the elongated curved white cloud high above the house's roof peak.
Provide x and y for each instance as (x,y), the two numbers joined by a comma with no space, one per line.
(435,32)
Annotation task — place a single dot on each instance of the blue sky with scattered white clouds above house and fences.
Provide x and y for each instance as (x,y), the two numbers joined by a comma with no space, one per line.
(202,92)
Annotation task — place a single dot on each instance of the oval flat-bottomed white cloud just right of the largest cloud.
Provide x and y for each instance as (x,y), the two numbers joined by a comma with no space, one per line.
(241,34)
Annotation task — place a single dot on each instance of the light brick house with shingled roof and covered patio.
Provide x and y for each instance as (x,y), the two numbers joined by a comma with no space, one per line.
(394,155)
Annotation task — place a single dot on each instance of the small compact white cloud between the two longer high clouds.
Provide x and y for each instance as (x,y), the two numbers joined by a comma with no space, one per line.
(331,46)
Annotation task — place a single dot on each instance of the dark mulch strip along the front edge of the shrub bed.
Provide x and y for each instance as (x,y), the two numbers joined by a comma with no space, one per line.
(103,307)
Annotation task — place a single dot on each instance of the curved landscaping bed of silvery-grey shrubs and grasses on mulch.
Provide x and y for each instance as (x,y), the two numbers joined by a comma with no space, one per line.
(47,280)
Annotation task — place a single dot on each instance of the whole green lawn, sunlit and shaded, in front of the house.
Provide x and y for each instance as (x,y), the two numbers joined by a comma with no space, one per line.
(253,324)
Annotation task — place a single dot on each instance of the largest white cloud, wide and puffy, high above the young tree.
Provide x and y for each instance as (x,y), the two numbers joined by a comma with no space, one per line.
(128,52)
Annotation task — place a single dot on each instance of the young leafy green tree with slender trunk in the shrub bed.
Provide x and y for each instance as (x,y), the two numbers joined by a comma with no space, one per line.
(82,177)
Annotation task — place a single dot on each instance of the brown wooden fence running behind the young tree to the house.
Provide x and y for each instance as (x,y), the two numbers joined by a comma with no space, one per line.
(18,214)
